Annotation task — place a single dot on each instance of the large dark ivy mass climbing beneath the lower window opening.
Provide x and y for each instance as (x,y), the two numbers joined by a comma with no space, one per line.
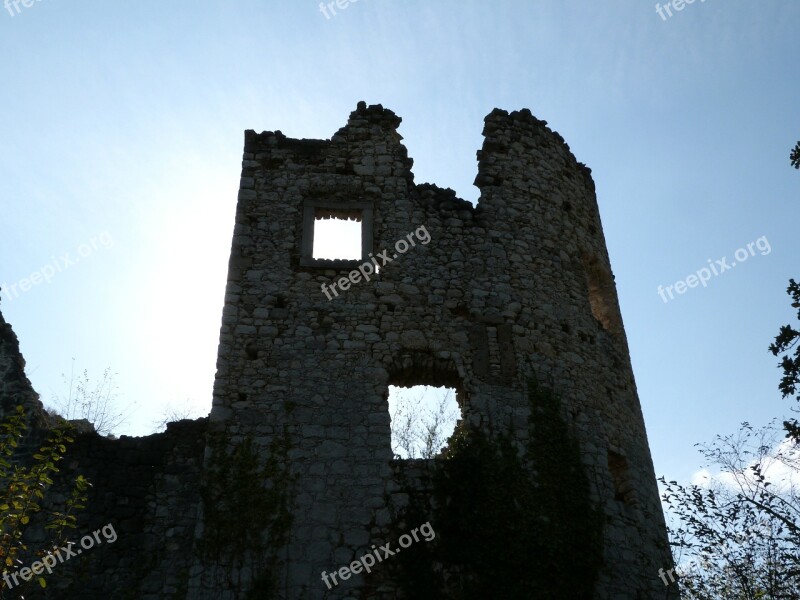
(509,524)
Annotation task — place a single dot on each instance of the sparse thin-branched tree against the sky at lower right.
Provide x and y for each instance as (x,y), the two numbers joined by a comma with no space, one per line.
(740,528)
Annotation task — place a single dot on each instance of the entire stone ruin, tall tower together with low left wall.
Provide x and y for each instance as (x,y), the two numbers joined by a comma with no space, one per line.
(514,289)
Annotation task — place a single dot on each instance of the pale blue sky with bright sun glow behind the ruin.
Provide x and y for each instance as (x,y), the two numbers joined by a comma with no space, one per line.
(124,122)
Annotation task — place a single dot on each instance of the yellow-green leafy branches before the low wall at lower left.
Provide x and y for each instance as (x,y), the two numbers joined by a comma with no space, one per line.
(24,487)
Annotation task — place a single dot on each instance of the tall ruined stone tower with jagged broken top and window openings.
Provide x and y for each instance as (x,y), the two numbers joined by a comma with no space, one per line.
(515,288)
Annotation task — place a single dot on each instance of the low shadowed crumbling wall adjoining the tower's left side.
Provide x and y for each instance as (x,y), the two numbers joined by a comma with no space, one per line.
(147,488)
